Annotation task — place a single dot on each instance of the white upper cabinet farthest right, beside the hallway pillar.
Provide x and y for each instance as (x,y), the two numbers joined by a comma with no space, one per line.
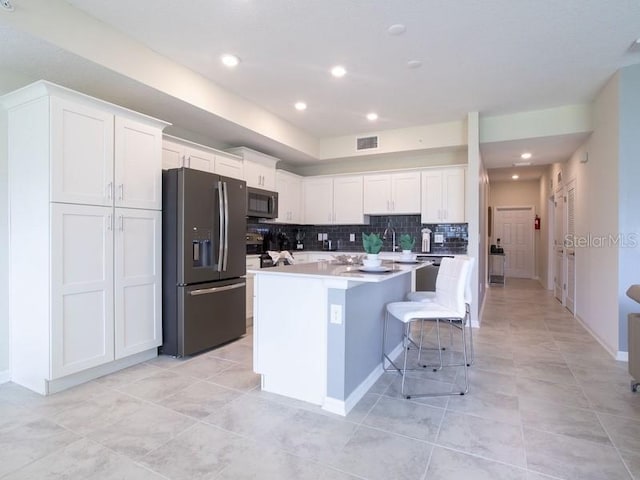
(443,195)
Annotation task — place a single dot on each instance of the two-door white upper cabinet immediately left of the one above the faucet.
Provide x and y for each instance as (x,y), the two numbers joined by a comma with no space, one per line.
(333,200)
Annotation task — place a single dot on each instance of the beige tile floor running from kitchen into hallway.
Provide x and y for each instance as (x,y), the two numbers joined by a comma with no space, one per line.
(546,401)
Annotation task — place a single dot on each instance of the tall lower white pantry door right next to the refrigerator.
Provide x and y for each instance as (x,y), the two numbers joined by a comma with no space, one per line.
(138,280)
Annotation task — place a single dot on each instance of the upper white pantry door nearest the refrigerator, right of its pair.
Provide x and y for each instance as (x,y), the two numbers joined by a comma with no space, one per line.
(138,165)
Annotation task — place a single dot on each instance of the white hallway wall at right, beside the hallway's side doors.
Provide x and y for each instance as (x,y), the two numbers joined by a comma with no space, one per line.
(597,217)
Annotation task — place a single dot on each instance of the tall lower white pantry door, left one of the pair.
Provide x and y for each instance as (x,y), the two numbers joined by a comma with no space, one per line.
(81,287)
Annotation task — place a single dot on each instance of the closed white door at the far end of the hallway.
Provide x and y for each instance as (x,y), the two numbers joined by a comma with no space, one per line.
(514,228)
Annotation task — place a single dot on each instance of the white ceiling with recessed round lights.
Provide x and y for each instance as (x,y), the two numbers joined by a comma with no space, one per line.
(491,56)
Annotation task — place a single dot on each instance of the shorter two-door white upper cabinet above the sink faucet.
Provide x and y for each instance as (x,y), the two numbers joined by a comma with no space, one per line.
(393,193)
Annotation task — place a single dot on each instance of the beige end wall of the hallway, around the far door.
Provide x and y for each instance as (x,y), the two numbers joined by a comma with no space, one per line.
(518,193)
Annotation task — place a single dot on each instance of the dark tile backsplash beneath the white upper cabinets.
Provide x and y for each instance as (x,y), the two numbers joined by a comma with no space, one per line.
(455,236)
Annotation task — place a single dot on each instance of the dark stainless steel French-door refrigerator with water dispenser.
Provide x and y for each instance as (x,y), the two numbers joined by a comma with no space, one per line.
(203,260)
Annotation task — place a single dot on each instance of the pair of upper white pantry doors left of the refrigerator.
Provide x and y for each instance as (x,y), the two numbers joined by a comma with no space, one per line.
(98,158)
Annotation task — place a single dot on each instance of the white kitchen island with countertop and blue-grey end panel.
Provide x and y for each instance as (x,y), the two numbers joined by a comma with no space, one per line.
(318,329)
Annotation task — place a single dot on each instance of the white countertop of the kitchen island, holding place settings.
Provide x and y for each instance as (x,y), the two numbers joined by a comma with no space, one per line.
(332,270)
